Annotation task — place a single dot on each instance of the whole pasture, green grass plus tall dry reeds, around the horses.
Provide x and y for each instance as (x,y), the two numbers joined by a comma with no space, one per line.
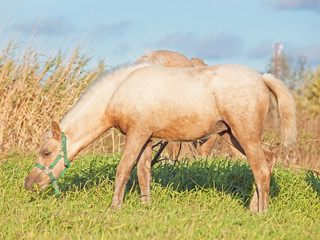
(199,199)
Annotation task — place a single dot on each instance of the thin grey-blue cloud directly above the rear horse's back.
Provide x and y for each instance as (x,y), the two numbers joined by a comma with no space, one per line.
(213,46)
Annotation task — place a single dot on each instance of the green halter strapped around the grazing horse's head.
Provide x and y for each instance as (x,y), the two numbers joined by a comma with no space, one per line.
(48,170)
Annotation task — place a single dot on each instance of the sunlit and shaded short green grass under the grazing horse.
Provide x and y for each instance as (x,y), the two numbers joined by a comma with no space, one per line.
(196,200)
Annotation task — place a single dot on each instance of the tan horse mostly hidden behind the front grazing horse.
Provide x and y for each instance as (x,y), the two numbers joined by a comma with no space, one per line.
(167,58)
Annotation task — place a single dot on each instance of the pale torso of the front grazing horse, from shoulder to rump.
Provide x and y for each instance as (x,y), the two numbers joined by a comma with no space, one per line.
(169,100)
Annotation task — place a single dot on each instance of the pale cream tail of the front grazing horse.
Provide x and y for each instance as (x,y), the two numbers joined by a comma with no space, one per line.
(286,108)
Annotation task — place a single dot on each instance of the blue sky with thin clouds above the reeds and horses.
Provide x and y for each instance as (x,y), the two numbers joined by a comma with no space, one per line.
(121,31)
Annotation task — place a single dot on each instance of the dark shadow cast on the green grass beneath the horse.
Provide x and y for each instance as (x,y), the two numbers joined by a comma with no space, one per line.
(225,175)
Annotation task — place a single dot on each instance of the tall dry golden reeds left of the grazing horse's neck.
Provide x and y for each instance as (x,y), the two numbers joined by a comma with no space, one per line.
(34,91)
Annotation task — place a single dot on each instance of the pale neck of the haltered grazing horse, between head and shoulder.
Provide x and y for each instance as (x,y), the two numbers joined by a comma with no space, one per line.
(87,119)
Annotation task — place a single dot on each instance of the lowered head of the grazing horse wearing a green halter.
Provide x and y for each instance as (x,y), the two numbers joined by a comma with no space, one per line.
(48,166)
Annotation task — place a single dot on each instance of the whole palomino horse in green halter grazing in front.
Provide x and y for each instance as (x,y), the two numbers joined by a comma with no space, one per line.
(177,104)
